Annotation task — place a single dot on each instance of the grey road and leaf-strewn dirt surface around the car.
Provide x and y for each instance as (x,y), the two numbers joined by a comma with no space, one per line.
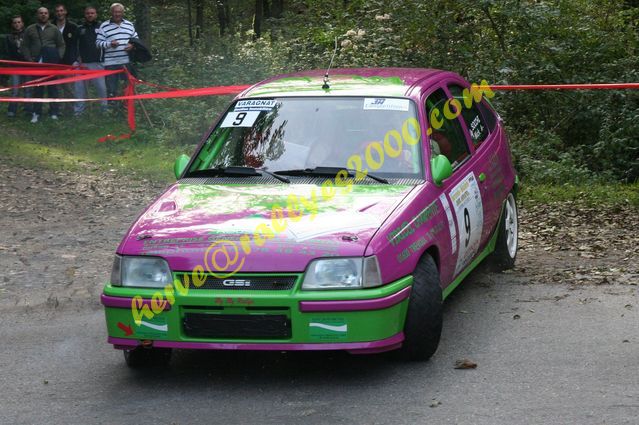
(556,339)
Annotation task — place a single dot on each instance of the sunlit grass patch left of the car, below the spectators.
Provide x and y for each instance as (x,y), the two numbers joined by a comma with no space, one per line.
(72,144)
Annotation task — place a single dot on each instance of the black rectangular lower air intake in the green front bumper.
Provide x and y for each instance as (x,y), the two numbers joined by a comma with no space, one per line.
(237,326)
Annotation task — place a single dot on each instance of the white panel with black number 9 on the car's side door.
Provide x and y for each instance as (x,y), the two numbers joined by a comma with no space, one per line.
(469,213)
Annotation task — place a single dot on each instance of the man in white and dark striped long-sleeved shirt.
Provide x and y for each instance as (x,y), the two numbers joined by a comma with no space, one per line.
(113,37)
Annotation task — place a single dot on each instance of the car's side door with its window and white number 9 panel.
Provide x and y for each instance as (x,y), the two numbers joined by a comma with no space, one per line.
(460,195)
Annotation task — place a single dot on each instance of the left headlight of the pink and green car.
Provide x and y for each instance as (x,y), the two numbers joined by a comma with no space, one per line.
(145,272)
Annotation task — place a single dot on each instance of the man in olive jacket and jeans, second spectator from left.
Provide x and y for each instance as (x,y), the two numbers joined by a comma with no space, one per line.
(43,43)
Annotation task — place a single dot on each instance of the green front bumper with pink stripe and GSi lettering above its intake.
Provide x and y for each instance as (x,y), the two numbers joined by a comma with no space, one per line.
(338,318)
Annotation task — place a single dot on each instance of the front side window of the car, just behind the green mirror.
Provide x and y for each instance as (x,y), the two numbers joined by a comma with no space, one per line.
(447,138)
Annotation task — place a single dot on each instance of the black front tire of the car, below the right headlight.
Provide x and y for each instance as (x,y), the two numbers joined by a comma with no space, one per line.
(423,326)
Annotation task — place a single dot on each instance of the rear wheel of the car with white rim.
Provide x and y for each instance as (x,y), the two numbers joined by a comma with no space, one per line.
(503,258)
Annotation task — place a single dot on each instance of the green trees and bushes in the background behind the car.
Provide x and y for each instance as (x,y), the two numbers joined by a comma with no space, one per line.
(556,136)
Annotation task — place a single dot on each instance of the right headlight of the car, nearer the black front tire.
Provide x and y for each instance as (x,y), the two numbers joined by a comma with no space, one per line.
(342,273)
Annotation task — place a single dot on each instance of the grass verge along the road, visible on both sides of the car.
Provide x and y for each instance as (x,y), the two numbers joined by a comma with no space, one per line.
(72,144)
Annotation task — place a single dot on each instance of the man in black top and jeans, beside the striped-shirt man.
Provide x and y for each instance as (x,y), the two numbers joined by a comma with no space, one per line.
(90,57)
